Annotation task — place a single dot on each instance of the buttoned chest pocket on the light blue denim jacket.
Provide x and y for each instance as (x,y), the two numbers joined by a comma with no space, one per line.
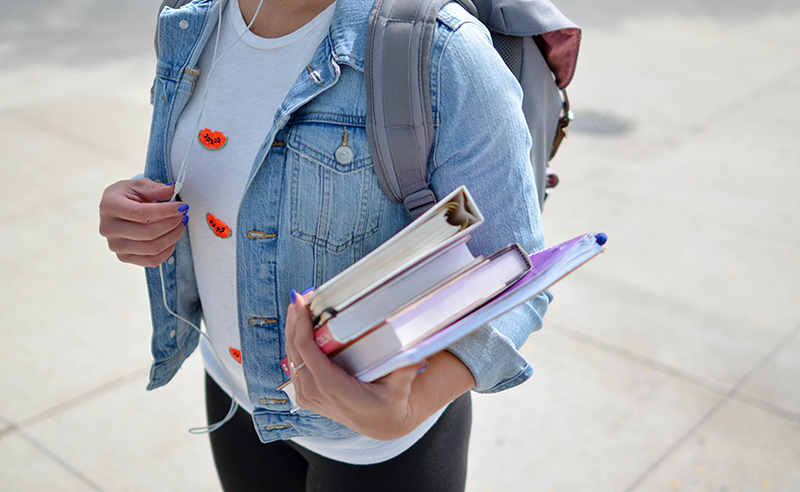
(336,200)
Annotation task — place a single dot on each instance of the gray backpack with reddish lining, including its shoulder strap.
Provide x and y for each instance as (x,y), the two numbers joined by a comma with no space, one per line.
(538,44)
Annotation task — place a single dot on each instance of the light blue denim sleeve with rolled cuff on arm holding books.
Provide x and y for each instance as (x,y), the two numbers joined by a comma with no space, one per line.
(482,141)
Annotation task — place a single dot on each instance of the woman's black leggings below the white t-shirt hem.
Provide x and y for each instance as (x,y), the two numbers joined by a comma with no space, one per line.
(437,462)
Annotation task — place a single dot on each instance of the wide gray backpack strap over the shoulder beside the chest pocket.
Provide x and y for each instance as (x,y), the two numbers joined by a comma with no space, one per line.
(400,129)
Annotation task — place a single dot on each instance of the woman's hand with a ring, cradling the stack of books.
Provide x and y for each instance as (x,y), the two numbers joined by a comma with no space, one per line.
(383,409)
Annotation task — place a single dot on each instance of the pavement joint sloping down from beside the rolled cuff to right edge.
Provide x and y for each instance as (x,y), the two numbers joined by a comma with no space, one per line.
(727,391)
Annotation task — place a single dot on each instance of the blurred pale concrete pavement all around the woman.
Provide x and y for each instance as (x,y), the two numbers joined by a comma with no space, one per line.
(671,362)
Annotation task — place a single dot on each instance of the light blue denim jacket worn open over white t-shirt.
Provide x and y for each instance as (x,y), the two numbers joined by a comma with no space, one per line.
(305,217)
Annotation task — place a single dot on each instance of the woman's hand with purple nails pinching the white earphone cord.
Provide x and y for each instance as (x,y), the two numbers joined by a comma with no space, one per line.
(141,227)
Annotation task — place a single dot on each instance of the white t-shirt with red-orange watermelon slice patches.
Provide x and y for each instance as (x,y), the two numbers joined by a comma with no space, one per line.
(247,86)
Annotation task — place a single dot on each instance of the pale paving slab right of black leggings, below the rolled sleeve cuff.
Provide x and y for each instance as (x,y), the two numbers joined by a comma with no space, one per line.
(586,420)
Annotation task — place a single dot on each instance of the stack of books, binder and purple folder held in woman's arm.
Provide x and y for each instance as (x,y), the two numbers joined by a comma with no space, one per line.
(423,290)
